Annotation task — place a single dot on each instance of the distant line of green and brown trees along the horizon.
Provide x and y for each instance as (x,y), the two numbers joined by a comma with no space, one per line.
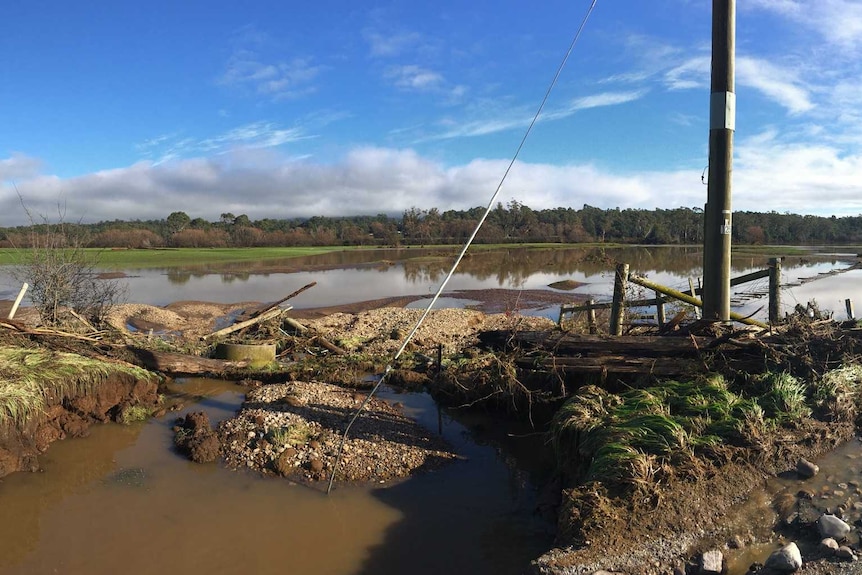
(510,223)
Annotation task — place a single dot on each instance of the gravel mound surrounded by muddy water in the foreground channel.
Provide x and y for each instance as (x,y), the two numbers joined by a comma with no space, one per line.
(293,429)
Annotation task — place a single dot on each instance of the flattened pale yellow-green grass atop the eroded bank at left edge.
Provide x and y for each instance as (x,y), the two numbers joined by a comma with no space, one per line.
(29,377)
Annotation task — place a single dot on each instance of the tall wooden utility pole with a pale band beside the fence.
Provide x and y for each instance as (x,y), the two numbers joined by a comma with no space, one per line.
(722,123)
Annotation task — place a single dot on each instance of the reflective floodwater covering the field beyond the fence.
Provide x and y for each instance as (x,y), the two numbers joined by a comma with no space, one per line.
(359,275)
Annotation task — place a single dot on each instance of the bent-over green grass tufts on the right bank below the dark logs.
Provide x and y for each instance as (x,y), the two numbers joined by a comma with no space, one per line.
(634,437)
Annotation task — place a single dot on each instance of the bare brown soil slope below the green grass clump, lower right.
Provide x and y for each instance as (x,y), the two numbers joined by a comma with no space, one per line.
(652,530)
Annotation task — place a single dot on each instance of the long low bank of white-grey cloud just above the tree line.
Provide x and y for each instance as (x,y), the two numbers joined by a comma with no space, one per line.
(769,174)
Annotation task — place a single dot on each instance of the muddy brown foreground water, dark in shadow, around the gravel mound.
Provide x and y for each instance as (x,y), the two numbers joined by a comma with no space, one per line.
(121,501)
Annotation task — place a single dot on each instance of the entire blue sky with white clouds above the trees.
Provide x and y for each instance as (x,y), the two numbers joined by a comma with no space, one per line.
(122,110)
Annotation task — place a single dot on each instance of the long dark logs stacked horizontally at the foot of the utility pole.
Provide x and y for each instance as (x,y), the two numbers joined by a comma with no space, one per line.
(810,346)
